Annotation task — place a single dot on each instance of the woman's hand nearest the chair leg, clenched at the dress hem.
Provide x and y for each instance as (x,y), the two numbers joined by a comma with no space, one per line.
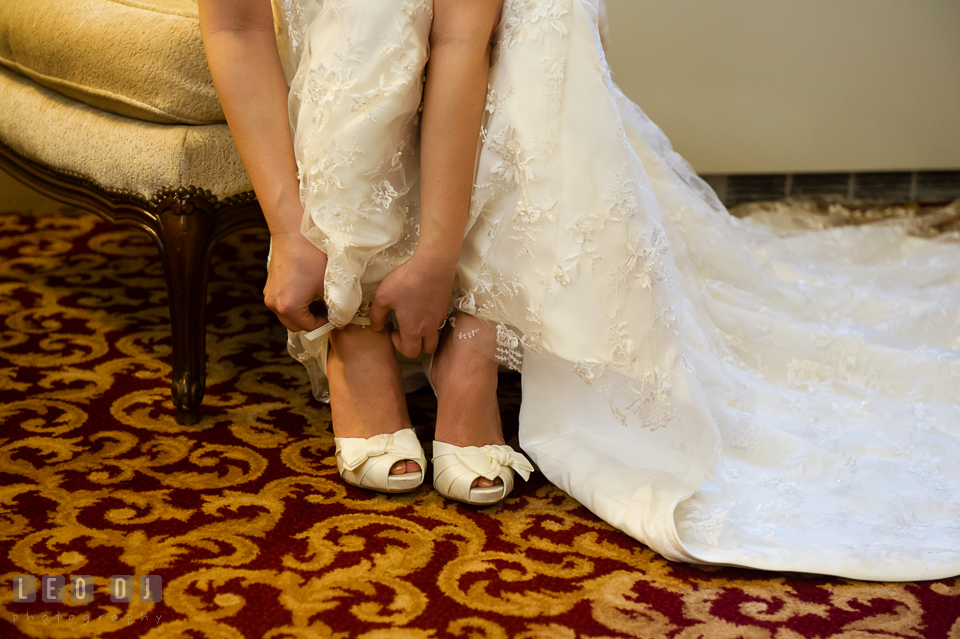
(295,280)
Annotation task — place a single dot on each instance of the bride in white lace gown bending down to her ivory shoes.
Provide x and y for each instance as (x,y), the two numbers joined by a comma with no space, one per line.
(722,390)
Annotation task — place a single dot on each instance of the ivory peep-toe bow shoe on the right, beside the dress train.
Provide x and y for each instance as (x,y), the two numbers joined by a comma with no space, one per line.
(455,468)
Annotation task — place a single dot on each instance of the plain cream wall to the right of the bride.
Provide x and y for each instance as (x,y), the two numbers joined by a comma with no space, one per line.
(771,86)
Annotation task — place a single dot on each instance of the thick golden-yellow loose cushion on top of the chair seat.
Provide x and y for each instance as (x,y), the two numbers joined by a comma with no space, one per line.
(143,59)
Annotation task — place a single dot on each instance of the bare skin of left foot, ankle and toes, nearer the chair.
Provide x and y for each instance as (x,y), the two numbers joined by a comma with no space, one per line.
(366,388)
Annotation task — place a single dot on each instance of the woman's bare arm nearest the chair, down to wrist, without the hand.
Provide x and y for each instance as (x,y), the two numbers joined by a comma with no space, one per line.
(242,53)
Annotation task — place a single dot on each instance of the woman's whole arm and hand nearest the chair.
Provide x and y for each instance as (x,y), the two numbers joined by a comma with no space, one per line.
(241,46)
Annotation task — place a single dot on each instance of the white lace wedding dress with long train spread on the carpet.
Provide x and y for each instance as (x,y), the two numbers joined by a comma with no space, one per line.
(726,391)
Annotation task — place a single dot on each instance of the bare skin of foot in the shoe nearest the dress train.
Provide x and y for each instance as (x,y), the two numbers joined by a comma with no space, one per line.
(465,377)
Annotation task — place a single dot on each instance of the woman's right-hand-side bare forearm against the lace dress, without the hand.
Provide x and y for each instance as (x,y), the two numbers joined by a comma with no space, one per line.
(453,104)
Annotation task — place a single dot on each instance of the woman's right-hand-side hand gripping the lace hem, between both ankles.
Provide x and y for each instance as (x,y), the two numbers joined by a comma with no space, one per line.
(418,292)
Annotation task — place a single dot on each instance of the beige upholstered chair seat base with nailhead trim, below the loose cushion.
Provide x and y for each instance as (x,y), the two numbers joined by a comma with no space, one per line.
(115,151)
